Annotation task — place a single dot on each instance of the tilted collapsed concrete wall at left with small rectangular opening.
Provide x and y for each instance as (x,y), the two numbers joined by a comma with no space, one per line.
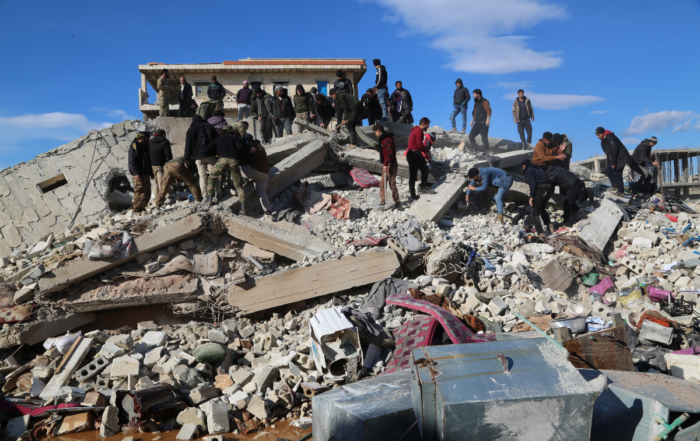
(27,214)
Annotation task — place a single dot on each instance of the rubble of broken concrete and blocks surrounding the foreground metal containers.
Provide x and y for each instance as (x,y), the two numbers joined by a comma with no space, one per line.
(224,368)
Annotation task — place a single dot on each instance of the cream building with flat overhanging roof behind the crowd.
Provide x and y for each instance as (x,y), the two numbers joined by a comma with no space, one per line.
(260,72)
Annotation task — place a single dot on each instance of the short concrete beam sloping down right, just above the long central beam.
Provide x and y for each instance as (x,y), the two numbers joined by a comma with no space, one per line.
(286,239)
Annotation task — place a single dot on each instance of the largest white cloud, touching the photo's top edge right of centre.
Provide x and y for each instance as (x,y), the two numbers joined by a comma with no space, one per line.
(477,35)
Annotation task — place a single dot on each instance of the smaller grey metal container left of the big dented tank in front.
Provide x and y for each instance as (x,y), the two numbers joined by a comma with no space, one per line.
(378,409)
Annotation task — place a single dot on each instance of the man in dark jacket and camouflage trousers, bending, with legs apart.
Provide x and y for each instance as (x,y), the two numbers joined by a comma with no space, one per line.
(230,148)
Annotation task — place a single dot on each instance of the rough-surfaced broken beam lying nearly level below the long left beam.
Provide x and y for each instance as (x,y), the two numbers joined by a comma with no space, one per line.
(142,291)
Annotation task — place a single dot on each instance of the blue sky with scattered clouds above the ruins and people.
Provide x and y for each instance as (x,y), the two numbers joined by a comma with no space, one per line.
(630,66)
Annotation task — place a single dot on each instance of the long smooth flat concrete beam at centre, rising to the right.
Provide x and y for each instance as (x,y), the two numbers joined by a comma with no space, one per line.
(317,280)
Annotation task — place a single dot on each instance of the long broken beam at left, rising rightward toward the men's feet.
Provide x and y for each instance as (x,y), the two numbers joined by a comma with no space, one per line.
(80,270)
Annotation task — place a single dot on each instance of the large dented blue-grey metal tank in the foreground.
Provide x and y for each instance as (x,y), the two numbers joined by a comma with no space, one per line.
(524,390)
